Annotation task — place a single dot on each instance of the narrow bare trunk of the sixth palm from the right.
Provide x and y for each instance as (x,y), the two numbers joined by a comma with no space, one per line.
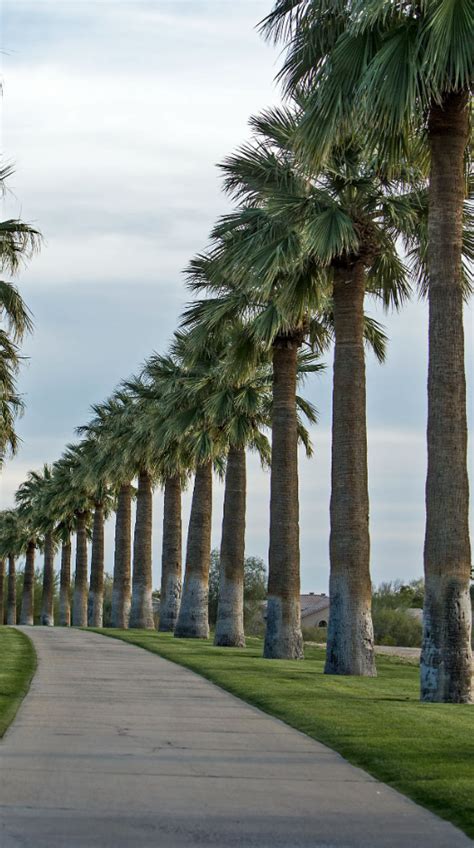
(171,555)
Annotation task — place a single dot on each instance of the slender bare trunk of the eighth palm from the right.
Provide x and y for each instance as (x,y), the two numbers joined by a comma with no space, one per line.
(122,558)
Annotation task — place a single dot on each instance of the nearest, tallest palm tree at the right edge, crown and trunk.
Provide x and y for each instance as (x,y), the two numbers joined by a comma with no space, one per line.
(349,65)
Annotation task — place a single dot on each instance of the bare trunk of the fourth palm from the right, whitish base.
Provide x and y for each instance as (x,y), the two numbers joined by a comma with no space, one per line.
(230,606)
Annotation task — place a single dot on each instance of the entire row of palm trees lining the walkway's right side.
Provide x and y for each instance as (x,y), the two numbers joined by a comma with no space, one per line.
(345,191)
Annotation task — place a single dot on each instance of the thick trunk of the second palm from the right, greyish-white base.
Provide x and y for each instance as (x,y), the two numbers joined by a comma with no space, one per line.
(350,643)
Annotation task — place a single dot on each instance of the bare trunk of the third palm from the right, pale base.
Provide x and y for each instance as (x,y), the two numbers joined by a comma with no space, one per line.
(283,639)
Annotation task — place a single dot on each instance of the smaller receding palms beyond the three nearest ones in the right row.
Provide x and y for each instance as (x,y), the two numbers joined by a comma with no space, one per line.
(156,429)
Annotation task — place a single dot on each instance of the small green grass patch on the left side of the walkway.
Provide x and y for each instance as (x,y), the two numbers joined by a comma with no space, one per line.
(17,666)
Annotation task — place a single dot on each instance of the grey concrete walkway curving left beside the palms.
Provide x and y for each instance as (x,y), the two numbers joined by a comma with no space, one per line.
(117,748)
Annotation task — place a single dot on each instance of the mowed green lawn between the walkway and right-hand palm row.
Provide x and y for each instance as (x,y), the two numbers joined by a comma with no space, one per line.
(424,750)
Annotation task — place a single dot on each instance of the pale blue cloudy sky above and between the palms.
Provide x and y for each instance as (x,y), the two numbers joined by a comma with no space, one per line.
(115,113)
